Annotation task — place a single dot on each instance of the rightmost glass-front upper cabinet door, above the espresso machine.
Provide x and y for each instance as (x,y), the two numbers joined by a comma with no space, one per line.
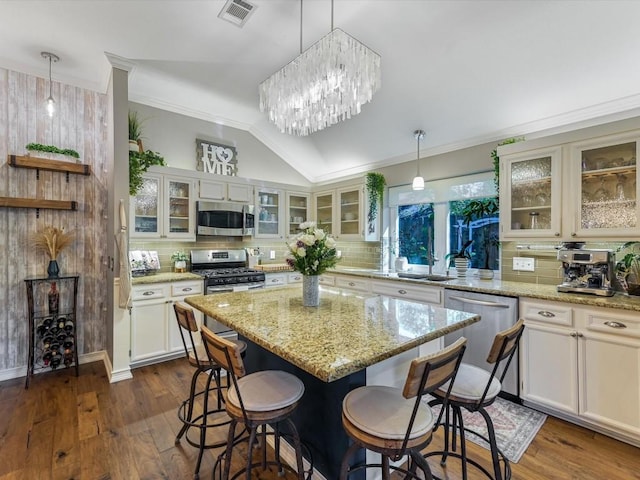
(605,187)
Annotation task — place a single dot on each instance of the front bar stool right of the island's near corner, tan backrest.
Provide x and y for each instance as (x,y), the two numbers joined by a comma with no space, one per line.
(386,420)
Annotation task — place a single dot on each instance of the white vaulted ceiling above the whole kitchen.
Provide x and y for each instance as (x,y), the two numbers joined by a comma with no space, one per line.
(467,72)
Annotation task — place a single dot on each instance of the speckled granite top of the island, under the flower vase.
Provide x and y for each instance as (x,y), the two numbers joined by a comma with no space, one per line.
(349,331)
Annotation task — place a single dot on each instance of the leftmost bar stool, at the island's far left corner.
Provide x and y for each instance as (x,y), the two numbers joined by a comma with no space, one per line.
(198,358)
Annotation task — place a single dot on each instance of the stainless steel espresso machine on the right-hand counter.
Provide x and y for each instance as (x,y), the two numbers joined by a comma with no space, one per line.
(586,271)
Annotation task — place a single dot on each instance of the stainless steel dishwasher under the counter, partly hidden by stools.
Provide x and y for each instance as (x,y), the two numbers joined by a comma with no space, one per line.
(497,313)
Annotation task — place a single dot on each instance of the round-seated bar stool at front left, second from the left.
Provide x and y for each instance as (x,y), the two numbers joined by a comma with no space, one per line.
(256,400)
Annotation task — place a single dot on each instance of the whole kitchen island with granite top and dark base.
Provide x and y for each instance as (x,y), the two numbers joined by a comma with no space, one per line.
(330,348)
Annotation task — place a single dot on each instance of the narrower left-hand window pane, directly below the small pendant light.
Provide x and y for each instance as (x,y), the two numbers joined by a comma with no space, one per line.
(415,222)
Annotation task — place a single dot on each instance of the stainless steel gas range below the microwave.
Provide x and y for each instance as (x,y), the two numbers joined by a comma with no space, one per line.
(224,271)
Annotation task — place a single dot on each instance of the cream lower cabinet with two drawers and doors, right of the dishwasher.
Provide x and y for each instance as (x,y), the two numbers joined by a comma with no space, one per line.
(583,364)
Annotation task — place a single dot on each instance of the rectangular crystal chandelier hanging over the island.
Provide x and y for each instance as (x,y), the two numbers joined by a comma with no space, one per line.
(327,83)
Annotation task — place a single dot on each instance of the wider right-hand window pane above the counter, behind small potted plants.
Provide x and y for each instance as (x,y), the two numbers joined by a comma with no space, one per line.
(476,220)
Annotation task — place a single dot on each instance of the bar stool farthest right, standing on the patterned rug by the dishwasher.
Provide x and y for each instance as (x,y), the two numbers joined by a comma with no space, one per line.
(475,389)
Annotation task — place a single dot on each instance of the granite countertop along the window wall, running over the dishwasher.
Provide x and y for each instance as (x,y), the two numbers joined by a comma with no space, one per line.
(506,288)
